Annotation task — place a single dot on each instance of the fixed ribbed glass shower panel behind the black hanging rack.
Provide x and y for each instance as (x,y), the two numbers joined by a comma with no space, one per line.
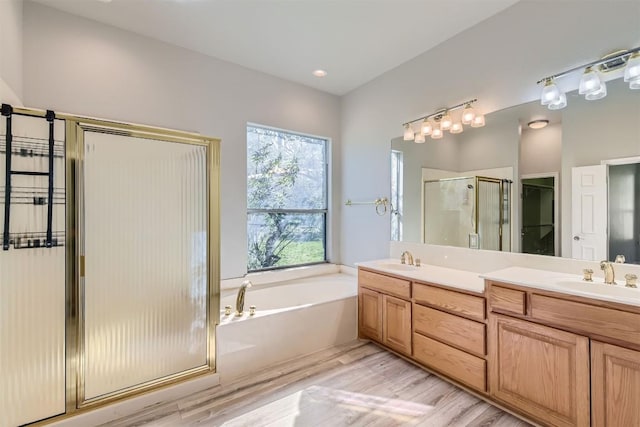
(32,277)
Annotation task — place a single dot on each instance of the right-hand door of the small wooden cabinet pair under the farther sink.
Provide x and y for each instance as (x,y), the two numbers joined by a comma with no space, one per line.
(396,329)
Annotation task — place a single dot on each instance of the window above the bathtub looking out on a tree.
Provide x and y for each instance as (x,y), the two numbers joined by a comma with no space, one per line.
(286,199)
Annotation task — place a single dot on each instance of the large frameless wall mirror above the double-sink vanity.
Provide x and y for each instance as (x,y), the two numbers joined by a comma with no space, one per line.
(540,163)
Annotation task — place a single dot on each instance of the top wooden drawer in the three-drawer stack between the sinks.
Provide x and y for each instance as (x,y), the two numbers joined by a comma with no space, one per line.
(455,302)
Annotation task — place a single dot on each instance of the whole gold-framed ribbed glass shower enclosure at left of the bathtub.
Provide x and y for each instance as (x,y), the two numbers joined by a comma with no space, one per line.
(109,266)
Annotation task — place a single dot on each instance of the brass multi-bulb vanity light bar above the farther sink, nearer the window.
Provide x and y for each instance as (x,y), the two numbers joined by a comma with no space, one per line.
(436,123)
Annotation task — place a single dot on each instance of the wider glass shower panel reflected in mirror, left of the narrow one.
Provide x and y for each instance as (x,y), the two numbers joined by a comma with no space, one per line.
(449,211)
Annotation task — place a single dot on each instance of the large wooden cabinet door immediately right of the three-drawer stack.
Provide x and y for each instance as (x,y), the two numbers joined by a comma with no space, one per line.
(541,371)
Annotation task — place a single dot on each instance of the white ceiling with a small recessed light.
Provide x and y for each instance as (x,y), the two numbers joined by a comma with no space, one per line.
(353,40)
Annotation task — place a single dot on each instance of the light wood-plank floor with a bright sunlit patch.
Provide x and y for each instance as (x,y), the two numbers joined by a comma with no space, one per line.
(358,384)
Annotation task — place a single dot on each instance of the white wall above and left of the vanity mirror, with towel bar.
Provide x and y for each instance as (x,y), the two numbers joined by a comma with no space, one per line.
(498,61)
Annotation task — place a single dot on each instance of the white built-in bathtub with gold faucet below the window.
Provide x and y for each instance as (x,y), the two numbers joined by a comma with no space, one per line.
(292,318)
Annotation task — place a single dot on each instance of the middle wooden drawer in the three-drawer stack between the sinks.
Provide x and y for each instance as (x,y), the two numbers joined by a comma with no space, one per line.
(465,334)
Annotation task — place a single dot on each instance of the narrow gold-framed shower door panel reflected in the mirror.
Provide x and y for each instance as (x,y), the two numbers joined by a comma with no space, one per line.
(489,208)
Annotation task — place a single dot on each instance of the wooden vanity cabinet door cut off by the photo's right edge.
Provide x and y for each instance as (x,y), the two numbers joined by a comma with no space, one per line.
(615,376)
